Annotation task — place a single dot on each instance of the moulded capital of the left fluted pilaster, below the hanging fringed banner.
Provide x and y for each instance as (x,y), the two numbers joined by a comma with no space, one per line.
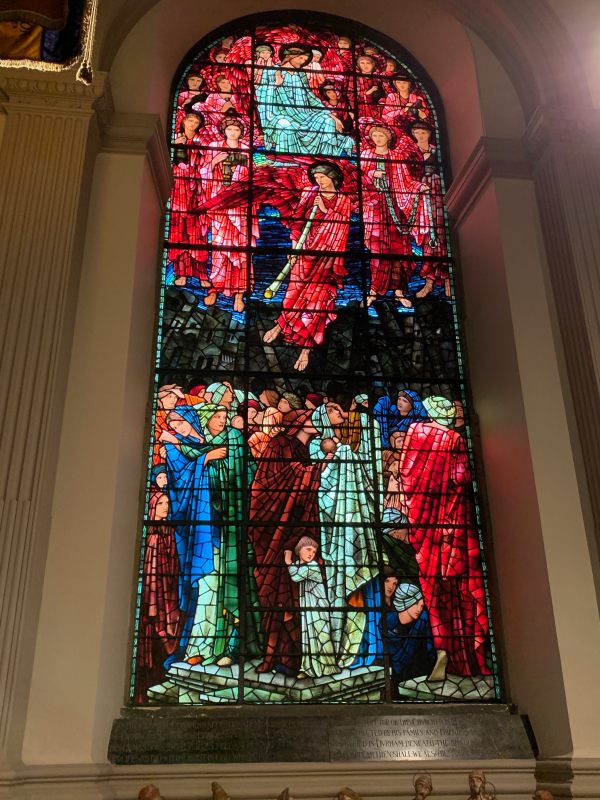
(48,92)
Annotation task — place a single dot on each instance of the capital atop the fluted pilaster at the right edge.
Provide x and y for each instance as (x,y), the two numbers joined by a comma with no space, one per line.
(573,127)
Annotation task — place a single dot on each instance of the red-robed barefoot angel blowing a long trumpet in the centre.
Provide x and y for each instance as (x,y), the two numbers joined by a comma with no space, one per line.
(321,224)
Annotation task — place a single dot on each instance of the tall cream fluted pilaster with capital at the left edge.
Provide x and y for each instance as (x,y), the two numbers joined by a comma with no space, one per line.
(43,160)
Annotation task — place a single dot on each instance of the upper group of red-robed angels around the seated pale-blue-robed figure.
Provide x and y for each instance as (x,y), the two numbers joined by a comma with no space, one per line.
(321,129)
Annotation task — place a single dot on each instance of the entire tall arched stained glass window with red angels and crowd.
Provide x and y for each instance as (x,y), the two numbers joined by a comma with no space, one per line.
(311,529)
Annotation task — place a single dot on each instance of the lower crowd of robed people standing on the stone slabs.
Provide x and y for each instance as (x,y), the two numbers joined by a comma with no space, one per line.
(310,535)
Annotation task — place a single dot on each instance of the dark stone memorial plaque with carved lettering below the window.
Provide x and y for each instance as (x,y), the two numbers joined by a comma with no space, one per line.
(221,736)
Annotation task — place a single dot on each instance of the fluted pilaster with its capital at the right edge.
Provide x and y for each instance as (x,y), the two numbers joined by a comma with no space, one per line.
(565,148)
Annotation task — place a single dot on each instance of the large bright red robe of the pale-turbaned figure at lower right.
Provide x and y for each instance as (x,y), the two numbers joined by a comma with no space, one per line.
(436,479)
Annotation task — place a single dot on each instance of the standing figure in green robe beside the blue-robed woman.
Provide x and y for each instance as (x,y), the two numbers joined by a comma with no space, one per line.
(215,633)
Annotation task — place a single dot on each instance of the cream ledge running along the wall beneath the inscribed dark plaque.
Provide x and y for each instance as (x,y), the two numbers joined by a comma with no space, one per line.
(513,780)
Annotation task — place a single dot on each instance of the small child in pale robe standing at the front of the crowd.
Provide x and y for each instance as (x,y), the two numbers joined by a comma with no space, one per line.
(318,656)
